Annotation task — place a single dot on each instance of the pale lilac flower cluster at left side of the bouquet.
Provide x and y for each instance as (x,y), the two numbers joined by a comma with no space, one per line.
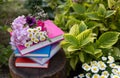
(19,34)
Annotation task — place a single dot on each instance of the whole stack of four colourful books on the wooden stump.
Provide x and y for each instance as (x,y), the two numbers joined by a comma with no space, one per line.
(38,55)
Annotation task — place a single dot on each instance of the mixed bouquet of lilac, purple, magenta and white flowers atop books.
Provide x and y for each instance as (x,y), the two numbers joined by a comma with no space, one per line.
(27,31)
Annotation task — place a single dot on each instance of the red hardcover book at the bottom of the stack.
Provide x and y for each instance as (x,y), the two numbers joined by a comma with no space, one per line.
(26,62)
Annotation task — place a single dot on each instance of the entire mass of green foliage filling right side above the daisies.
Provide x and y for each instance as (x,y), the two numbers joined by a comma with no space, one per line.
(87,18)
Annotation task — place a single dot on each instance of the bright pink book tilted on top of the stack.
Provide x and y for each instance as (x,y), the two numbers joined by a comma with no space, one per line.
(54,33)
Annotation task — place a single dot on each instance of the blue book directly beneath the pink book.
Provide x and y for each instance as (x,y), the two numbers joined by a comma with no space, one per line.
(42,52)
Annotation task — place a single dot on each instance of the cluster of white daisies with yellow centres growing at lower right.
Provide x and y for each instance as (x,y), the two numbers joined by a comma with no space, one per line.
(106,67)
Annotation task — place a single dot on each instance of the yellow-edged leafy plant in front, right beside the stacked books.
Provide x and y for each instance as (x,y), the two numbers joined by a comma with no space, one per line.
(82,45)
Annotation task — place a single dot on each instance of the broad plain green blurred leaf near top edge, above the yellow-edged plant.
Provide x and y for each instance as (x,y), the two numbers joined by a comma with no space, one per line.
(78,8)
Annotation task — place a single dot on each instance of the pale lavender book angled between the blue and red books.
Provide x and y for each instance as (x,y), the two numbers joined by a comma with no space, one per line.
(54,49)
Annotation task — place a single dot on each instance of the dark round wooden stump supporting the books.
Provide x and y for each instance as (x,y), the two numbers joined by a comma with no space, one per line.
(56,68)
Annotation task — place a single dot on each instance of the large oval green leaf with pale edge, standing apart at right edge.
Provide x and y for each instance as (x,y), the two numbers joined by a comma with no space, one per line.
(107,39)
